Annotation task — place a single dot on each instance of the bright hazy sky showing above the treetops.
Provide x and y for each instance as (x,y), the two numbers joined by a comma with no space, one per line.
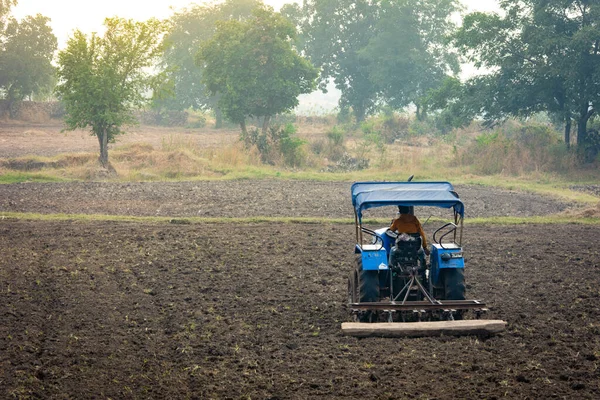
(88,16)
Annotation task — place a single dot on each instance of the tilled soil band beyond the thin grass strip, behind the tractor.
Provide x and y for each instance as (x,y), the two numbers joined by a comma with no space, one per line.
(242,199)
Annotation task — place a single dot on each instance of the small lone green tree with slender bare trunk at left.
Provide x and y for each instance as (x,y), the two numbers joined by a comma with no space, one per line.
(104,79)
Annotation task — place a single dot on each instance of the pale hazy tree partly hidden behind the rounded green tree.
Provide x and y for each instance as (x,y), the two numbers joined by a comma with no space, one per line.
(188,30)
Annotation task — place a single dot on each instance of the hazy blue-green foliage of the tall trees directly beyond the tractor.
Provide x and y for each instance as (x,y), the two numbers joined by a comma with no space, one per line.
(389,52)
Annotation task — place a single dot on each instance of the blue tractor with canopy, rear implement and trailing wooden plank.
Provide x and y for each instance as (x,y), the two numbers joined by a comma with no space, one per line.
(393,289)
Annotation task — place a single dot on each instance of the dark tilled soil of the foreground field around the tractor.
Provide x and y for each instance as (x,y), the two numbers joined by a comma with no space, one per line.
(158,311)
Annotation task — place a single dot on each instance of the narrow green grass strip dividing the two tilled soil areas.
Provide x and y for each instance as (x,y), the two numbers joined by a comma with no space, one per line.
(551,219)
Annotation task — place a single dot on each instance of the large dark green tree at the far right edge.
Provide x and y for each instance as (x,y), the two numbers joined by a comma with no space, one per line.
(544,56)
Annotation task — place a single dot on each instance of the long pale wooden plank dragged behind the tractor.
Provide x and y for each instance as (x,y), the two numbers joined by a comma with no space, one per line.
(418,329)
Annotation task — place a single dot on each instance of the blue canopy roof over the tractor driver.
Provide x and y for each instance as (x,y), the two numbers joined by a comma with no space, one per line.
(367,195)
